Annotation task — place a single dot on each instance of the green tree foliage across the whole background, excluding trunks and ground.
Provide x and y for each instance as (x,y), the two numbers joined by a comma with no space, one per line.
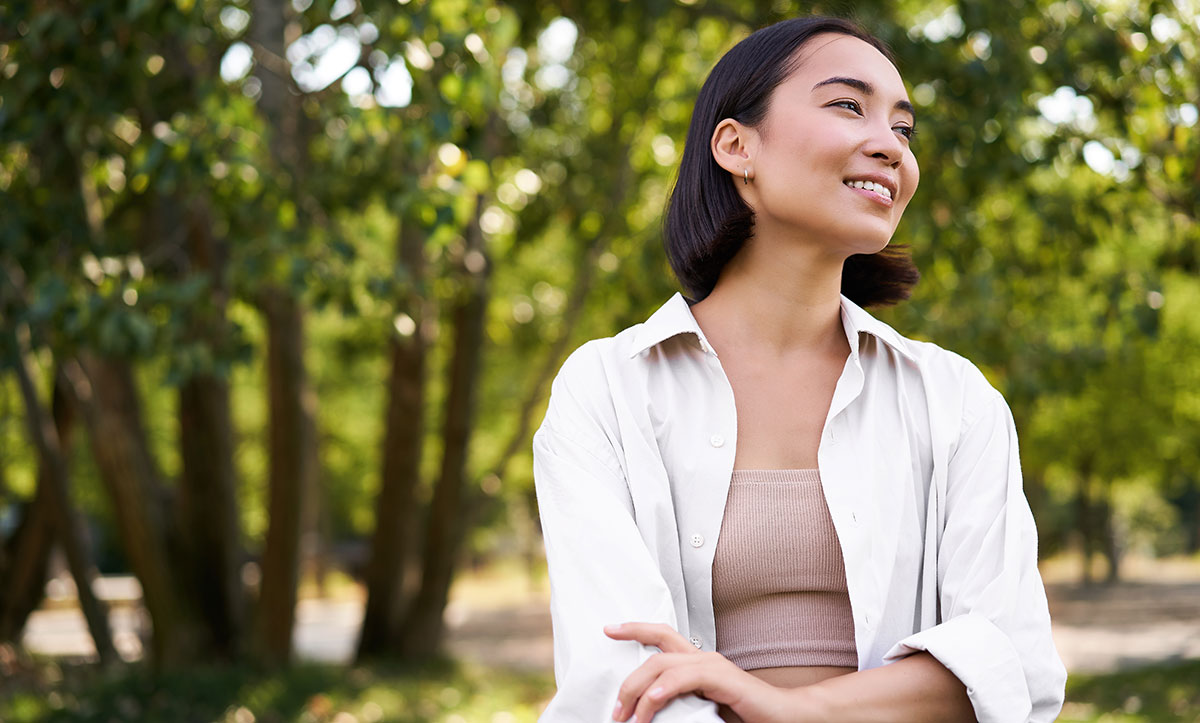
(1057,224)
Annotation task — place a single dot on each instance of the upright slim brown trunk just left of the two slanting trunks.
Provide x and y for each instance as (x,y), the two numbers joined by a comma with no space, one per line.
(291,447)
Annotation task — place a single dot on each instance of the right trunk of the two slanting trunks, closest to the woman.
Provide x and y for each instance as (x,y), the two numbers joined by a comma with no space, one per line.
(423,630)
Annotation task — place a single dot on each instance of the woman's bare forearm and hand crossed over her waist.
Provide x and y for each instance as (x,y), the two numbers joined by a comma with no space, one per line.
(916,689)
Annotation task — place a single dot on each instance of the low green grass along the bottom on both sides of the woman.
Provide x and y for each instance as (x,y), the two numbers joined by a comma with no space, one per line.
(441,694)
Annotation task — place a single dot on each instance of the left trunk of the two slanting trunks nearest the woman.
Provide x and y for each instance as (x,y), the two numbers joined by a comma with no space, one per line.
(404,438)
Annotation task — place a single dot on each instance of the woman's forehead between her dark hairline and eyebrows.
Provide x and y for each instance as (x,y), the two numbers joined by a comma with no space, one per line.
(832,55)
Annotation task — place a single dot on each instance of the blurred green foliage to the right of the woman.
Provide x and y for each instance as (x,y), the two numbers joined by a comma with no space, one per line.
(1059,218)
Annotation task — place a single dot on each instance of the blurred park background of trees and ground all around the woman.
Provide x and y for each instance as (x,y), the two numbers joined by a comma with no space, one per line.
(284,285)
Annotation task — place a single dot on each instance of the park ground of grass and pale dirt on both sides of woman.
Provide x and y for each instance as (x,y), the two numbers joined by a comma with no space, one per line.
(1132,649)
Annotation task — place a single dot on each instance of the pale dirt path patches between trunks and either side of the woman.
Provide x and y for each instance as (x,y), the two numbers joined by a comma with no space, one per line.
(1097,630)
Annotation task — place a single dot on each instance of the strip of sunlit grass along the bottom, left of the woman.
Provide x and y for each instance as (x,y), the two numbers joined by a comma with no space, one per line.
(440,692)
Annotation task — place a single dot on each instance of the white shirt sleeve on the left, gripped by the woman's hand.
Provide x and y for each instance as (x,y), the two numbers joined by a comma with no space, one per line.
(601,571)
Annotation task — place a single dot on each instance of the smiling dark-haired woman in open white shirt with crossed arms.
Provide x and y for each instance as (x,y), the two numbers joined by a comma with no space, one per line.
(811,517)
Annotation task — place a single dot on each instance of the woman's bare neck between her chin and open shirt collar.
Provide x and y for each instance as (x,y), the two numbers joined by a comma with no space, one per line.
(777,298)
